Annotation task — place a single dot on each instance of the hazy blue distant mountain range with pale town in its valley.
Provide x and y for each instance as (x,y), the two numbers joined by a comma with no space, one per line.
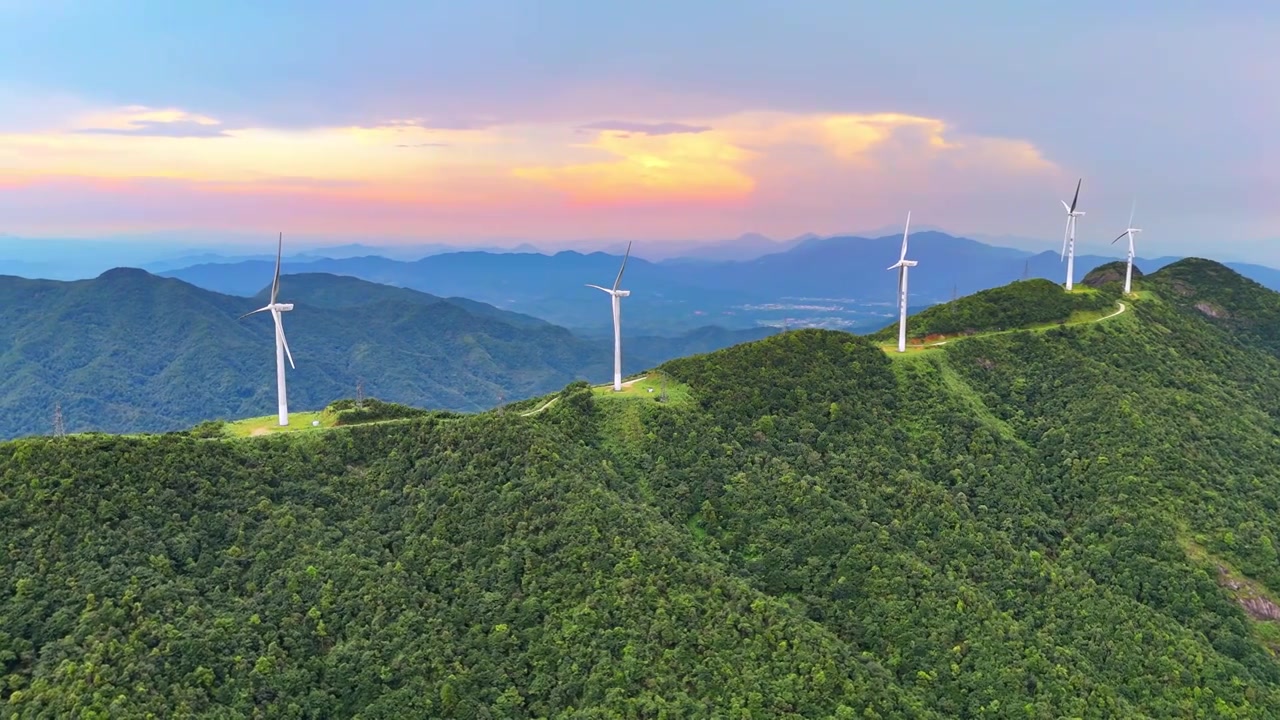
(833,282)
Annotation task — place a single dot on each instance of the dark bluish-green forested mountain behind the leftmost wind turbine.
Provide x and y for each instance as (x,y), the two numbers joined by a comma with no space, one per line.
(130,352)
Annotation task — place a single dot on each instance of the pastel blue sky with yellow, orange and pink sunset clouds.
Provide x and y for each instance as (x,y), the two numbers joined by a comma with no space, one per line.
(656,121)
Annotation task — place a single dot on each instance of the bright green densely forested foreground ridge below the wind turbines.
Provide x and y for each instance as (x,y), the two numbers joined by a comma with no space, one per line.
(1068,522)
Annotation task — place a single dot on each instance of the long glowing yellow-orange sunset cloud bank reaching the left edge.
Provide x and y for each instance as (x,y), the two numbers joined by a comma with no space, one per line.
(752,166)
